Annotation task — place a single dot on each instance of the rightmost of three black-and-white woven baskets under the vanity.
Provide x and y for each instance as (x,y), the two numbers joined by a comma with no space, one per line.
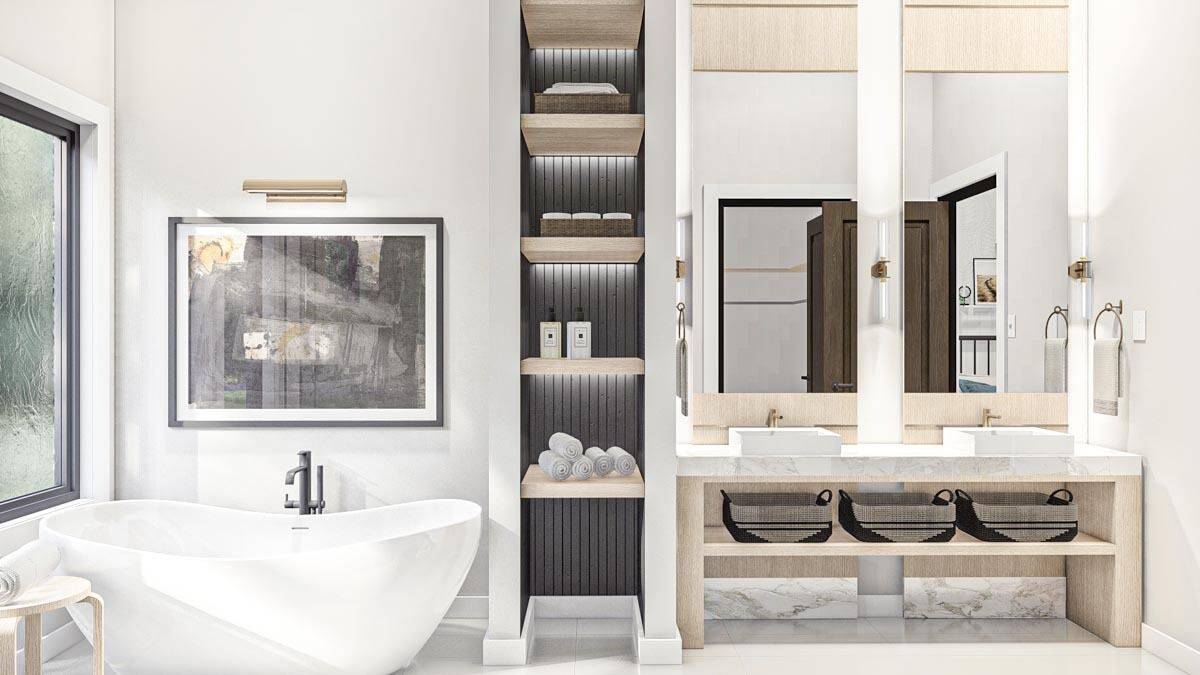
(1018,517)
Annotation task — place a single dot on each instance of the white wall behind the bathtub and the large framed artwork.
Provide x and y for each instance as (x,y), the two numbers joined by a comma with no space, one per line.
(393,97)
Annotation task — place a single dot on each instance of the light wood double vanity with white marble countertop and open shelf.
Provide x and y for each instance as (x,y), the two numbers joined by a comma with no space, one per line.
(1102,566)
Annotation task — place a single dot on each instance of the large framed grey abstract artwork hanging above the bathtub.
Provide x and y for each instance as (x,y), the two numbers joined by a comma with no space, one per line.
(305,322)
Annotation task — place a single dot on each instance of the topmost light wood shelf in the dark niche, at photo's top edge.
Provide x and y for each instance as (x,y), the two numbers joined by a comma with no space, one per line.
(583,25)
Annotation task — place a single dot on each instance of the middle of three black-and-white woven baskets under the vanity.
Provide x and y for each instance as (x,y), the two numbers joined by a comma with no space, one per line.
(898,517)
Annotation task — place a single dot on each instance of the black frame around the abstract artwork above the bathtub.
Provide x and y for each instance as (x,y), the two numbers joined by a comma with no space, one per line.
(440,341)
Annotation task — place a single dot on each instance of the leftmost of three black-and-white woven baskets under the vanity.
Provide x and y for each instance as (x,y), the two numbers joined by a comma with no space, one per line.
(778,518)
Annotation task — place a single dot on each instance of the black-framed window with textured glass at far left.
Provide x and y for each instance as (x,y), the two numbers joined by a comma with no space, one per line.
(39,310)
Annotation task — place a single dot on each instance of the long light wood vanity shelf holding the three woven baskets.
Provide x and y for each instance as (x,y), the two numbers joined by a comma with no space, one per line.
(718,542)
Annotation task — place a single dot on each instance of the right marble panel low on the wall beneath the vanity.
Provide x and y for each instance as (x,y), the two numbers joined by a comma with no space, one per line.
(993,598)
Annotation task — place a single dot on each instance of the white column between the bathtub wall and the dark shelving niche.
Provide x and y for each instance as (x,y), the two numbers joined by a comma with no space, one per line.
(503,644)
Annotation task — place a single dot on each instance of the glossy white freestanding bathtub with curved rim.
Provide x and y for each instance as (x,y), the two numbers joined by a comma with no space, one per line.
(200,589)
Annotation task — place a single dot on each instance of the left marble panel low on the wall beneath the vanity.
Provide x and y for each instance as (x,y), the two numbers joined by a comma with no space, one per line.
(782,599)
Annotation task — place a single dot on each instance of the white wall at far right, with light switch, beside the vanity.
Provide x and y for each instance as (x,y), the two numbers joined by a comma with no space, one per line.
(1144,164)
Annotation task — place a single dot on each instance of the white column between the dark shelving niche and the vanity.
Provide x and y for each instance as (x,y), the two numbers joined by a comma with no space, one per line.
(662,643)
